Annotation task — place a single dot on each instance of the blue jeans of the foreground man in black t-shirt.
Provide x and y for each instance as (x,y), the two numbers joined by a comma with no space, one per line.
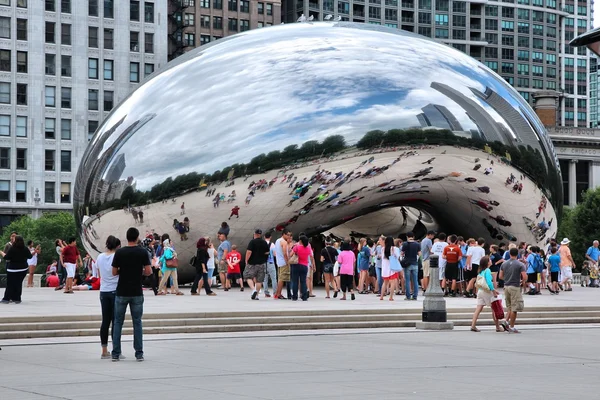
(136,307)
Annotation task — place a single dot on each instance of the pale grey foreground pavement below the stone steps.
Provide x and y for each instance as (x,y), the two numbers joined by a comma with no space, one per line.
(539,363)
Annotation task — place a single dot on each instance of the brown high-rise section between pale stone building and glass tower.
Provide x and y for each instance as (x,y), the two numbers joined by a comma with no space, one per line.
(194,23)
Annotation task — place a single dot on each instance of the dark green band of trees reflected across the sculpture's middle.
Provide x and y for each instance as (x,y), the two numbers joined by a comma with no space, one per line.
(525,159)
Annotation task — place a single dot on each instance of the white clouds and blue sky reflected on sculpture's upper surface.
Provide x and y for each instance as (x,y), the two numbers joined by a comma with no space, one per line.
(267,89)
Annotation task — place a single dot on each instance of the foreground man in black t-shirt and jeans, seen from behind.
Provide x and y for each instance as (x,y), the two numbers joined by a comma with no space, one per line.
(131,264)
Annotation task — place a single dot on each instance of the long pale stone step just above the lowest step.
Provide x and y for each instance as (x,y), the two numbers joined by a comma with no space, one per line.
(300,319)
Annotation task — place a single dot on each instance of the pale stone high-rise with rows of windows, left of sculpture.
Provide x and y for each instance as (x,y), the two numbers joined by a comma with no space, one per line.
(64,64)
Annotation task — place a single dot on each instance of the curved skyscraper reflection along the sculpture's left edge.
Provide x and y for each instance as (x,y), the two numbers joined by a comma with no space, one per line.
(108,157)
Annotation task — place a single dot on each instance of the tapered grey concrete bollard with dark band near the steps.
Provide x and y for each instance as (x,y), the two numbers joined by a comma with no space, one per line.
(434,315)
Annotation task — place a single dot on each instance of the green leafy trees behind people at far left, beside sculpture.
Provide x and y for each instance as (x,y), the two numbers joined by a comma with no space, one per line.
(43,231)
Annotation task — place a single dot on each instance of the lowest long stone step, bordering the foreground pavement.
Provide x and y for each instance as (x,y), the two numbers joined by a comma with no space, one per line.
(283,327)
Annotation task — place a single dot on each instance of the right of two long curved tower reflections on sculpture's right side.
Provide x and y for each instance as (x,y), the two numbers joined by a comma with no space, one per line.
(515,119)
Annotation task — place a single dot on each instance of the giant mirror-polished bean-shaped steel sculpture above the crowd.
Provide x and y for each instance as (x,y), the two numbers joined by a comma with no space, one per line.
(329,129)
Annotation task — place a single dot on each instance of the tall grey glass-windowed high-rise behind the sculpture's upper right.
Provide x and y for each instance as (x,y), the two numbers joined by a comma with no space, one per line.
(525,41)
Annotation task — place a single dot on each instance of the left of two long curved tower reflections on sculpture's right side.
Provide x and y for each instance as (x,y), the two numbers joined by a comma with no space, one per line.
(489,129)
